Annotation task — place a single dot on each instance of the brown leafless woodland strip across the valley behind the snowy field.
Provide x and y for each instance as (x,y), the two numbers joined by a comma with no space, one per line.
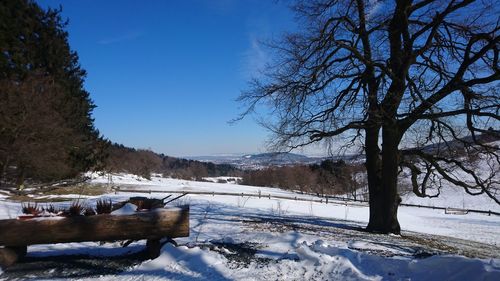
(326,178)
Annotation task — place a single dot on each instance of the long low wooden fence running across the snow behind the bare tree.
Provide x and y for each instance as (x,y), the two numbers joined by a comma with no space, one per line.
(325,199)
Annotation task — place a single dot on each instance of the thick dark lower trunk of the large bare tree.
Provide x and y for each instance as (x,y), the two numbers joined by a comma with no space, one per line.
(384,198)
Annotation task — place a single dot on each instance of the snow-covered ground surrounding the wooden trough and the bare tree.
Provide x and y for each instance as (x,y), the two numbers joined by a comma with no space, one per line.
(242,238)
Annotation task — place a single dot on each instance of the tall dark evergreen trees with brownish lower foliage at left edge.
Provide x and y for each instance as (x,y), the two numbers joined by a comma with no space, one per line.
(47,130)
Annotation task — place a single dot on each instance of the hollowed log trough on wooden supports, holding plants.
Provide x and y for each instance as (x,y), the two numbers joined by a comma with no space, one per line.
(153,225)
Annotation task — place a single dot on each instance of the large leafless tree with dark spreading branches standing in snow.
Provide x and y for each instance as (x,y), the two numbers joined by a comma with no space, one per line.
(387,73)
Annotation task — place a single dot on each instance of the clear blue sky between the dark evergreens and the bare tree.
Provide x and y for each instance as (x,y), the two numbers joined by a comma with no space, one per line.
(165,74)
